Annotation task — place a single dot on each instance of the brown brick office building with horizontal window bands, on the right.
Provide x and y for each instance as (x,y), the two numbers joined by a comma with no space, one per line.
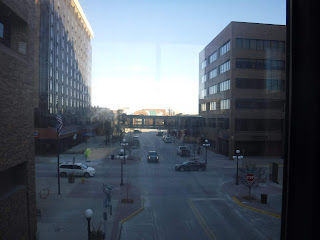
(241,89)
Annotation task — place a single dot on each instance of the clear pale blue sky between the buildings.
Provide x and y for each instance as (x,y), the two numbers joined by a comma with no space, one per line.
(145,53)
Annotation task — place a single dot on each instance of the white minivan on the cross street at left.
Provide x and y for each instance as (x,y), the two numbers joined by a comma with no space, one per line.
(78,169)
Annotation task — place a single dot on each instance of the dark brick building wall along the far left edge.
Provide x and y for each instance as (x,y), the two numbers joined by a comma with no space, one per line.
(18,84)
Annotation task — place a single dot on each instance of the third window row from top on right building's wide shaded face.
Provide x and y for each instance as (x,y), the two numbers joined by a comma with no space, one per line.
(274,85)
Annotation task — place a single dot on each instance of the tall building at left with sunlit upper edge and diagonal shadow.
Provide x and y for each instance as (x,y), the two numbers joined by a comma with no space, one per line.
(65,69)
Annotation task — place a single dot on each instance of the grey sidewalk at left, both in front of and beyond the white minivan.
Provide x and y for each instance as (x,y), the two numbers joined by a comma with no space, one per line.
(62,215)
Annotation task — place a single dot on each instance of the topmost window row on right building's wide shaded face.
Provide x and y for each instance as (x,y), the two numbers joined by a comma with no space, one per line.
(259,44)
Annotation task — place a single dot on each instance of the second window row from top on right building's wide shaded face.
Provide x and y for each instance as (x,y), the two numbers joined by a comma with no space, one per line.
(249,63)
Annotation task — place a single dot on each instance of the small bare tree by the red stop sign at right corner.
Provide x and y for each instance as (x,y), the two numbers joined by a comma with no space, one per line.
(250,175)
